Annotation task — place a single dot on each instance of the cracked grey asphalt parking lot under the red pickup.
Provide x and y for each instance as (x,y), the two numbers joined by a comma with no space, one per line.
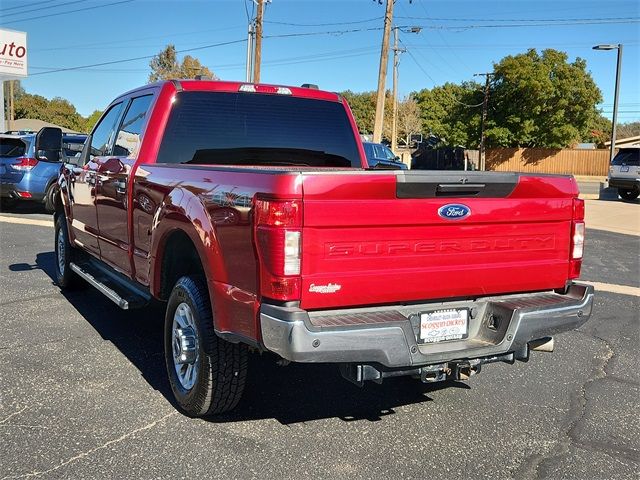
(83,394)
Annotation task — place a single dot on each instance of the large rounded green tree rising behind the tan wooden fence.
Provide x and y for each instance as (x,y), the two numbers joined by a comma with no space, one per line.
(541,100)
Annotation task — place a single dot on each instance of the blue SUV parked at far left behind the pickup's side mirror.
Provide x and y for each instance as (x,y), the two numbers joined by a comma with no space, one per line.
(27,174)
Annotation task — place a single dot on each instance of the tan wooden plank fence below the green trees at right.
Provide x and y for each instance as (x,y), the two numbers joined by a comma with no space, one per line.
(543,160)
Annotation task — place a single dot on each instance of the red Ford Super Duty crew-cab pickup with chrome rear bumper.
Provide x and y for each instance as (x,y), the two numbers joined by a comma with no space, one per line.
(249,209)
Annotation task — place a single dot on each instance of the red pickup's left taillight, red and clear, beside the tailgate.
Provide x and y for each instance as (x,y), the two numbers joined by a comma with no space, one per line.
(278,225)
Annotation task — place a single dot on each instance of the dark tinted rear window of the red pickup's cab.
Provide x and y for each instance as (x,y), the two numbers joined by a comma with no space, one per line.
(213,128)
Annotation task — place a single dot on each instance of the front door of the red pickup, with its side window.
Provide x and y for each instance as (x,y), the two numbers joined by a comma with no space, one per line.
(84,221)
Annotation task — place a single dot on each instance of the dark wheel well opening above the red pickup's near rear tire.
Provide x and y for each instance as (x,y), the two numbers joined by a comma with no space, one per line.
(179,258)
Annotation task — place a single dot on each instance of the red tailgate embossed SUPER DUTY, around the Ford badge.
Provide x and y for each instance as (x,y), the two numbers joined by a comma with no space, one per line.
(377,237)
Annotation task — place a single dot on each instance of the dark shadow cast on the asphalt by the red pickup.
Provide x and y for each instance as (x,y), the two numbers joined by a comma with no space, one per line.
(291,394)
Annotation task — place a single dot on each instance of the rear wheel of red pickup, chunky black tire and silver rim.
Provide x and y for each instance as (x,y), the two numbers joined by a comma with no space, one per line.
(220,367)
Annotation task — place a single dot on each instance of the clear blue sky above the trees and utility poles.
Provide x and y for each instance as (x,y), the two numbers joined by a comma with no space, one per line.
(334,44)
